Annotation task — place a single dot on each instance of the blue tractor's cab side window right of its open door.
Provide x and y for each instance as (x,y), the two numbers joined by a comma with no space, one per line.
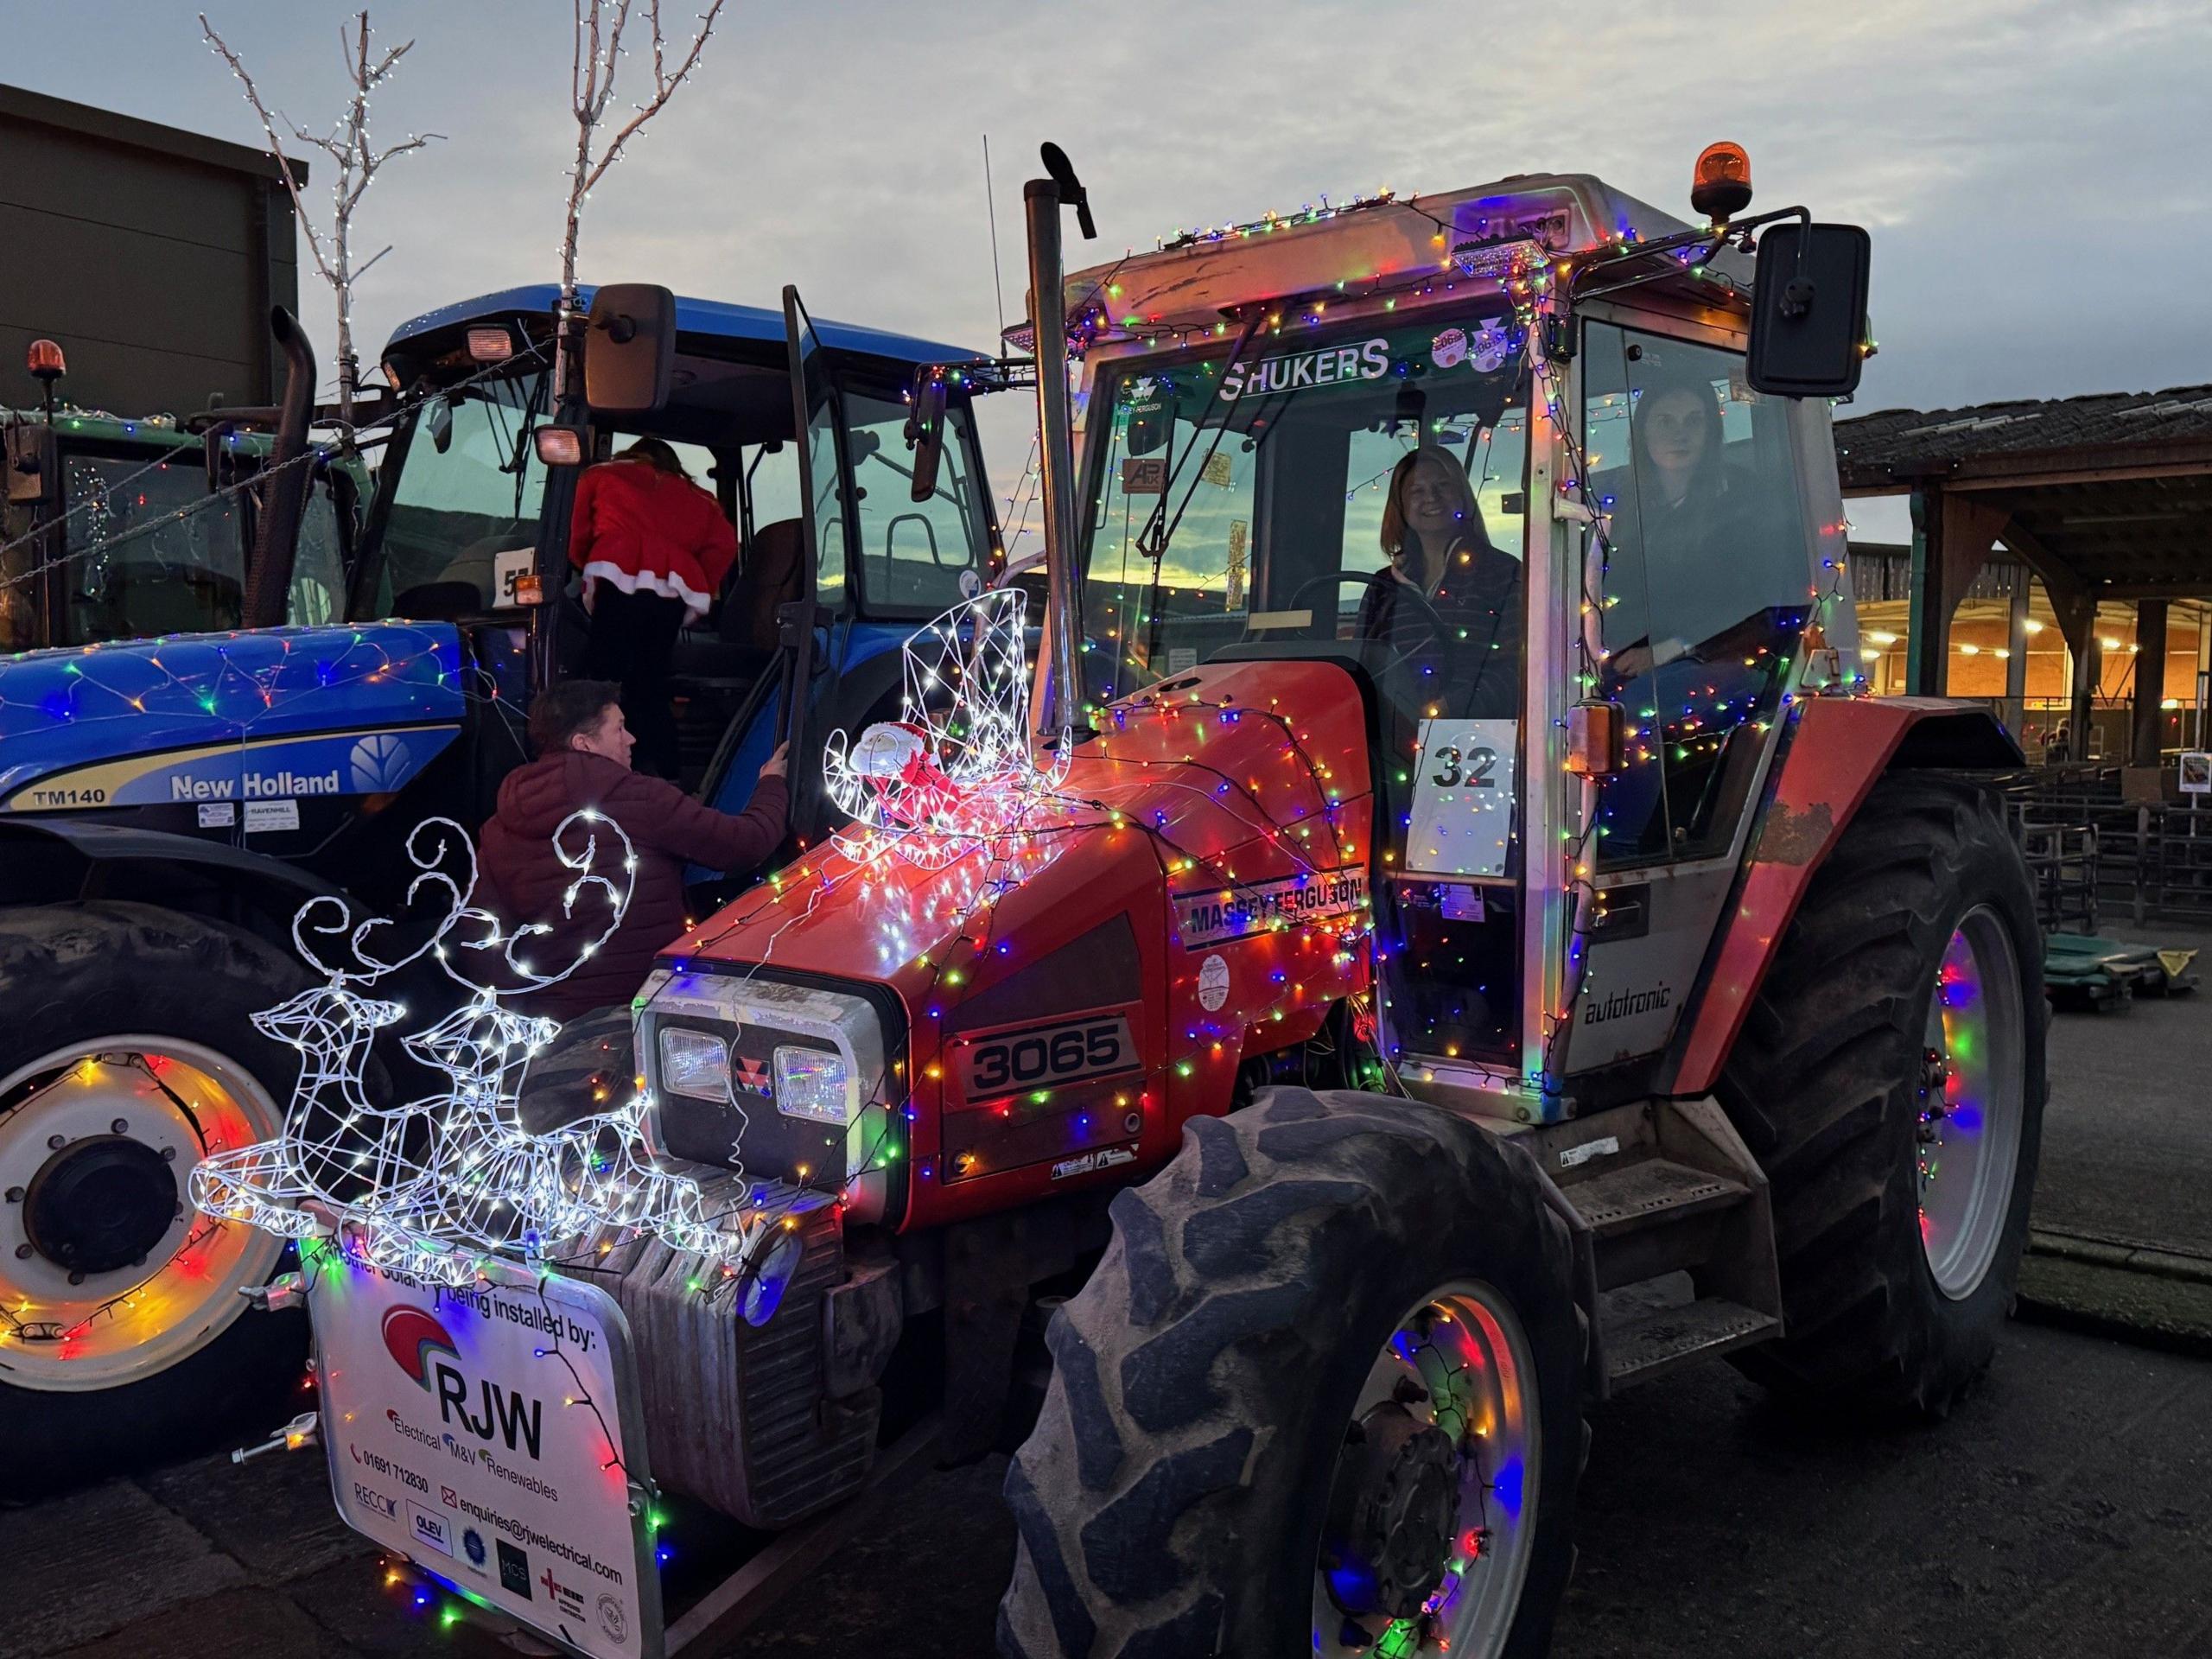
(912,554)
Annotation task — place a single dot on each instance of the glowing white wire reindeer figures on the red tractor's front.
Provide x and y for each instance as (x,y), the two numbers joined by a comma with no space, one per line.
(437,1185)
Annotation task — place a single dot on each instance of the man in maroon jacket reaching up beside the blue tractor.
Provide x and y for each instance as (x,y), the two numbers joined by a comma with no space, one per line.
(585,762)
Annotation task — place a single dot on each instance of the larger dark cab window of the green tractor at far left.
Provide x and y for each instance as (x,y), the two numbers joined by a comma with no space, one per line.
(149,550)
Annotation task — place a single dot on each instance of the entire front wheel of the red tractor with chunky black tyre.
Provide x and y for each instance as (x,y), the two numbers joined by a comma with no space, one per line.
(1322,1397)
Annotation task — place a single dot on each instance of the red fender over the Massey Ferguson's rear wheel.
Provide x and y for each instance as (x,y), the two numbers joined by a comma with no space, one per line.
(1835,753)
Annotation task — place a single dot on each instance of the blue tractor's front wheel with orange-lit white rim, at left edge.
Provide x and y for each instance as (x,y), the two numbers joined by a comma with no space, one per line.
(129,1054)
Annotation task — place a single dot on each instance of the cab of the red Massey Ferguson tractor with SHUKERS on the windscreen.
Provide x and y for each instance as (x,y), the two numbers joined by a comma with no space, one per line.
(1510,468)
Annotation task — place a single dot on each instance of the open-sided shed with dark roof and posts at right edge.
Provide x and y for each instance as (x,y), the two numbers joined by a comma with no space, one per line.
(2105,499)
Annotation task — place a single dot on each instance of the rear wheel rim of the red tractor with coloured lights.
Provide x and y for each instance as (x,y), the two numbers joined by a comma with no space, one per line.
(1972,1103)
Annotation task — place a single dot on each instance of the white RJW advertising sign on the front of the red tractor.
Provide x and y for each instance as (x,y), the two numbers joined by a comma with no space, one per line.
(481,1432)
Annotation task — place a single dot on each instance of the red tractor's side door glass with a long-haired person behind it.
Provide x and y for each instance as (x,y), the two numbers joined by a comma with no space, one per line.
(1707,592)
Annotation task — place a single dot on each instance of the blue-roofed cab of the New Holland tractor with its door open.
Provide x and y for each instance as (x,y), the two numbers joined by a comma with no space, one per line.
(470,521)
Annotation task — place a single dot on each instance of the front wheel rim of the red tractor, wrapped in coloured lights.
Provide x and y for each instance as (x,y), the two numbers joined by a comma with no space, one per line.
(1454,1381)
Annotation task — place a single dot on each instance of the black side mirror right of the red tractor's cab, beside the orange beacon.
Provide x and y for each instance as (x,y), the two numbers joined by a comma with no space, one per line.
(1811,311)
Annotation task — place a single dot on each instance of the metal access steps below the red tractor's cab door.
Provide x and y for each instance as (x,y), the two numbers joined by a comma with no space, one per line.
(1673,1235)
